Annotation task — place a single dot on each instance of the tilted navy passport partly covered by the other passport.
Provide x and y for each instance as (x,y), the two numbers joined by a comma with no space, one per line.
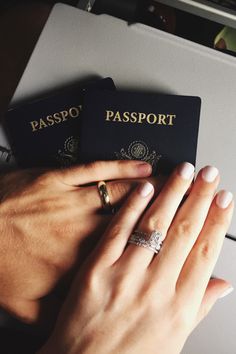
(46,132)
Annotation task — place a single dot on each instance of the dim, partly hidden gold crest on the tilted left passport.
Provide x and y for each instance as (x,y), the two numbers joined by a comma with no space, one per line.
(69,154)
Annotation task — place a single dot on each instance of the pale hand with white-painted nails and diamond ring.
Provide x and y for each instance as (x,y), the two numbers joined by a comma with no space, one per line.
(127,300)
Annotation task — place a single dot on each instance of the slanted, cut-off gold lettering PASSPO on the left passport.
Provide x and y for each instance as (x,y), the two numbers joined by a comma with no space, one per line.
(55,118)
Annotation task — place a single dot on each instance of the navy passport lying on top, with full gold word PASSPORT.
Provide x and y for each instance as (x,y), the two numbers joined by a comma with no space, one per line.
(159,129)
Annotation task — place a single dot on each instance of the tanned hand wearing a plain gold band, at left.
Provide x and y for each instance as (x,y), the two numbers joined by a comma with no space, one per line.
(47,224)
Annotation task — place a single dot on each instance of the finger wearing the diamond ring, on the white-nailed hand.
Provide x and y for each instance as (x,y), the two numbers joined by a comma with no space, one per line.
(161,213)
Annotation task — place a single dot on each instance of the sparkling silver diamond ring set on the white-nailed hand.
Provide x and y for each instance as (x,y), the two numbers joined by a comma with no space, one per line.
(152,241)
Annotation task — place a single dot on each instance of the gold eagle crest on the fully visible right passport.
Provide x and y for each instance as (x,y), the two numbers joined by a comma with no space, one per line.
(138,150)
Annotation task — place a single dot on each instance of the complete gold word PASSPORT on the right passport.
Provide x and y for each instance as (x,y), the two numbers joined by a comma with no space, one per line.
(139,118)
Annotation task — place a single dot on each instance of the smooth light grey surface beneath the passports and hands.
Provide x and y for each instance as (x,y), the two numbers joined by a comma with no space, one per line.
(75,45)
